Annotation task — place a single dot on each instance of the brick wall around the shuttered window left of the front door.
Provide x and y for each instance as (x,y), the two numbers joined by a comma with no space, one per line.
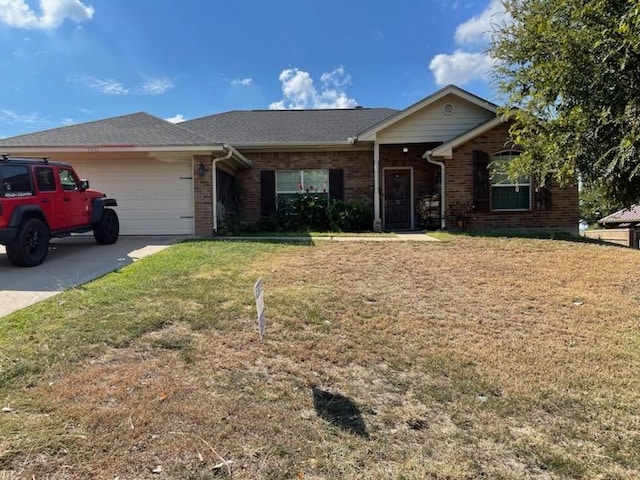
(357,166)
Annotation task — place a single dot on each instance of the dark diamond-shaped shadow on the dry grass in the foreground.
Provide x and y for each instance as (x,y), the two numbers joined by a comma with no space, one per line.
(340,411)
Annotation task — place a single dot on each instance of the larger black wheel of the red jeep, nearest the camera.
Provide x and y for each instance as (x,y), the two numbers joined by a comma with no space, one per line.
(31,244)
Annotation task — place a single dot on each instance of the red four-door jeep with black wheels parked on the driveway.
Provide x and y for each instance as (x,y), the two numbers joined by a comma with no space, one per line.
(40,199)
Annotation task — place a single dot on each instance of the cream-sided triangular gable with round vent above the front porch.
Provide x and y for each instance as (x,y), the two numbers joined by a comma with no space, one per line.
(440,121)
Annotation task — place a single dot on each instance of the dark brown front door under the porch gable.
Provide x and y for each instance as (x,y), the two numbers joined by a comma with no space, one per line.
(397,199)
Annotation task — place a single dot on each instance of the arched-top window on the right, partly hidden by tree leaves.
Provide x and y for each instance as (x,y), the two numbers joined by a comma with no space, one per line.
(506,193)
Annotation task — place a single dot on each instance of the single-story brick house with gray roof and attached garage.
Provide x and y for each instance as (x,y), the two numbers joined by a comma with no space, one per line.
(186,178)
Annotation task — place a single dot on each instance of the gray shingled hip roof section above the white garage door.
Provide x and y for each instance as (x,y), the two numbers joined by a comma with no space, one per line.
(136,129)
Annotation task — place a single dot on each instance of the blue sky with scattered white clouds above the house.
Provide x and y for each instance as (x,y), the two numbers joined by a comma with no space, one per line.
(66,62)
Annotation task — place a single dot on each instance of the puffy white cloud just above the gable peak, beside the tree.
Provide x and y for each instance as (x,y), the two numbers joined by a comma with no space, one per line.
(460,67)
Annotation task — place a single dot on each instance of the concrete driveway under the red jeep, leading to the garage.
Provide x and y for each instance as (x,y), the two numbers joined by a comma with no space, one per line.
(72,261)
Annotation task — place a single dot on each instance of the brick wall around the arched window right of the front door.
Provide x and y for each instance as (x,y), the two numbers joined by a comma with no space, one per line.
(562,216)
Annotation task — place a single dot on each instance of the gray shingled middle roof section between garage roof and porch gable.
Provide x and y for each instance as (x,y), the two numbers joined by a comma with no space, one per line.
(257,127)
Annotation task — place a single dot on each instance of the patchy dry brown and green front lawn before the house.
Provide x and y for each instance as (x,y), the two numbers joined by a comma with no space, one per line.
(470,358)
